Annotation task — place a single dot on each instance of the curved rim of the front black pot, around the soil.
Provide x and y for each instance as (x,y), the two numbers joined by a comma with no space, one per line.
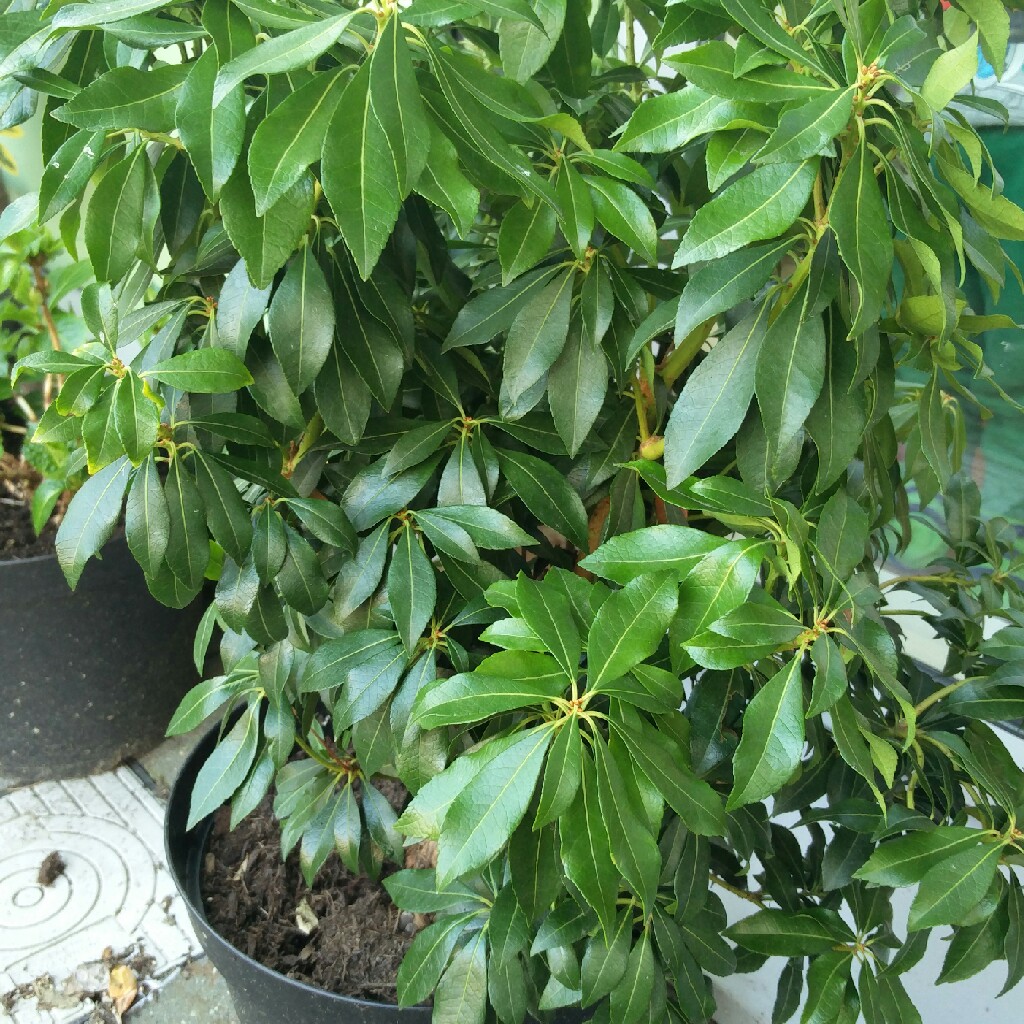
(176,816)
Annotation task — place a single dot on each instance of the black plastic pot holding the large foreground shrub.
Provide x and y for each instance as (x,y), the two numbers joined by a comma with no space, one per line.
(262,996)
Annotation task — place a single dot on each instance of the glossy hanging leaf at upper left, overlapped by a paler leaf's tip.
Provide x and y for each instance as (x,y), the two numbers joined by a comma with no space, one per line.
(214,135)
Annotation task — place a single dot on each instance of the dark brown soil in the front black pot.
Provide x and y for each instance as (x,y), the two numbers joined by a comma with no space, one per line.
(252,899)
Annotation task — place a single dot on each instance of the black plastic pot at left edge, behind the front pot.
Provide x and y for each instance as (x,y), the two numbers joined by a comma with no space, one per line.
(90,677)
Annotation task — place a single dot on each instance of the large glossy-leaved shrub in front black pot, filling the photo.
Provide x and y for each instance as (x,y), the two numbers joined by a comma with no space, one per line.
(553,379)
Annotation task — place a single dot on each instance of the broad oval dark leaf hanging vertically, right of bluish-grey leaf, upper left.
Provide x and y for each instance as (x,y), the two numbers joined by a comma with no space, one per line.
(301,321)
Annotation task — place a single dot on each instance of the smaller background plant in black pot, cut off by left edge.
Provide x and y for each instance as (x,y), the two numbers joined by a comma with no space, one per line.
(79,695)
